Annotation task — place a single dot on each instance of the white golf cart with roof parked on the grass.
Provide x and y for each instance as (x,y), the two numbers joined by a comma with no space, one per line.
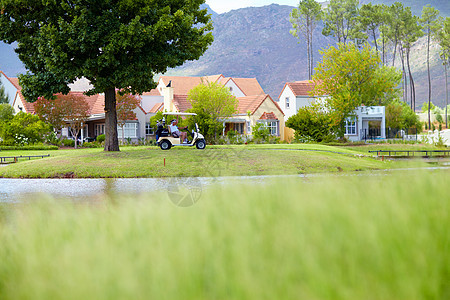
(167,139)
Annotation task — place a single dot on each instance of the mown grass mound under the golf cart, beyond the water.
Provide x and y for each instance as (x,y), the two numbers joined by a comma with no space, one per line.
(213,161)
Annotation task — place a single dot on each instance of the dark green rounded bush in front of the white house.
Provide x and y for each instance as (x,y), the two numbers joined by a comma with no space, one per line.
(311,124)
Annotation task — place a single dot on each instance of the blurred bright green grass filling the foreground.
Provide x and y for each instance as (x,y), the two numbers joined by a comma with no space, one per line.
(379,237)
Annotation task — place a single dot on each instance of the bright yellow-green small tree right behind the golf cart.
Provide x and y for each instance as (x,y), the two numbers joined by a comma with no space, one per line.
(212,102)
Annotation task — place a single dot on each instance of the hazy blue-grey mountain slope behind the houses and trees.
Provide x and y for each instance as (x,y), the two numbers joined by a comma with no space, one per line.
(255,42)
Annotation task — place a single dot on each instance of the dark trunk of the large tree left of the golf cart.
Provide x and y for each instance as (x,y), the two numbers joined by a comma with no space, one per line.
(111,140)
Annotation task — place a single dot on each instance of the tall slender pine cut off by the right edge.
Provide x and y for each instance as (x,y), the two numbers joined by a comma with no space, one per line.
(443,37)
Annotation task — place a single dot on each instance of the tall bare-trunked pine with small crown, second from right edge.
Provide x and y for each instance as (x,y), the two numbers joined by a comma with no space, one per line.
(429,21)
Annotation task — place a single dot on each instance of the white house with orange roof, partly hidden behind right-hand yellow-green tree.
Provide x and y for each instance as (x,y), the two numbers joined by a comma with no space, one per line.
(368,122)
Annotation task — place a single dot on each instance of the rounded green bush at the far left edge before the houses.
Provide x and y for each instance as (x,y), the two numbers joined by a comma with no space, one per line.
(24,129)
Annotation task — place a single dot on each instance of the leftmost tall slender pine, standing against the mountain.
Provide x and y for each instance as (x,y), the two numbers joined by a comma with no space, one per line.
(304,20)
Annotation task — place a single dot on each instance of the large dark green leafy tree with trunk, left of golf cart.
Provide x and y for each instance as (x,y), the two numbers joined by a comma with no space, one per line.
(113,43)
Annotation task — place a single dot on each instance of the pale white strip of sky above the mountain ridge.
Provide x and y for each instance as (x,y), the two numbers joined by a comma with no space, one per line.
(221,6)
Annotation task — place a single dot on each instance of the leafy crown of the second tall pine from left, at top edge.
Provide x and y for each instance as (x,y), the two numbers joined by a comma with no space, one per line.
(341,20)
